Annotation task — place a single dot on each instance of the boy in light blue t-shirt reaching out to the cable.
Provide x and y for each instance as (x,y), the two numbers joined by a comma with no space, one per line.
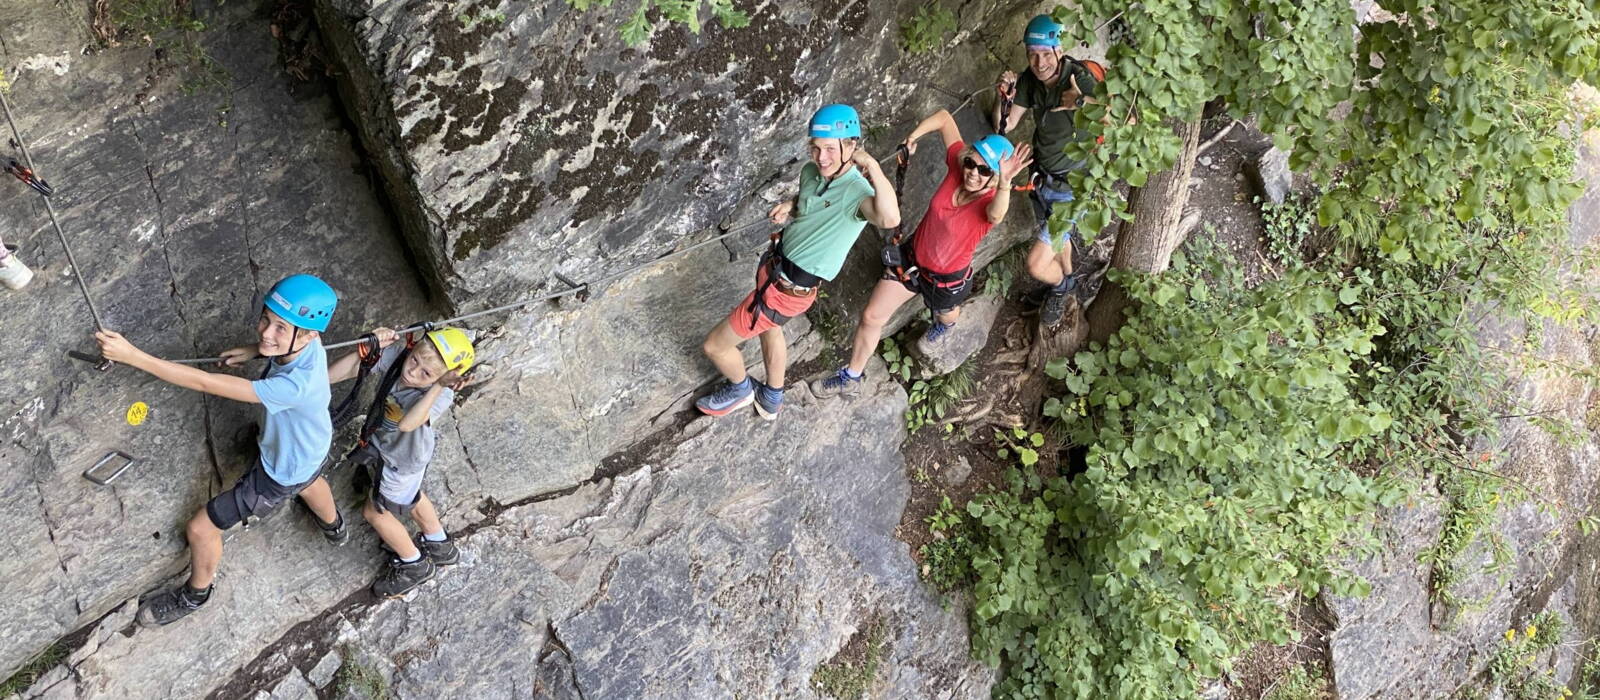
(295,437)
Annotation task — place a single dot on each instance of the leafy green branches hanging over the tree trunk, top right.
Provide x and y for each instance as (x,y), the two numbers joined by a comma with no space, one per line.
(1436,109)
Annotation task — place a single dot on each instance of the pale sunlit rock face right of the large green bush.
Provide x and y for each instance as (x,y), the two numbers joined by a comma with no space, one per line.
(1399,643)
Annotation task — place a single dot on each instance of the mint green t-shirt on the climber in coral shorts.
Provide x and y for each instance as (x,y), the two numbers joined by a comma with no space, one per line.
(826,226)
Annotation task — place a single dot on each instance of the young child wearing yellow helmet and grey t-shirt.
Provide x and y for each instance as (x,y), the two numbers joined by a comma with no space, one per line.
(426,376)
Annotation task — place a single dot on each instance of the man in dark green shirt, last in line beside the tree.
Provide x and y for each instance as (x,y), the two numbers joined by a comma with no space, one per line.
(1054,89)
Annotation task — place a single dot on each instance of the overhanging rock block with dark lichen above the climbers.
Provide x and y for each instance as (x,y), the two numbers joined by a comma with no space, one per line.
(615,154)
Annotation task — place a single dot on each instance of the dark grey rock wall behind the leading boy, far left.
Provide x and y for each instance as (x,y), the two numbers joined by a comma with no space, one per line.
(180,225)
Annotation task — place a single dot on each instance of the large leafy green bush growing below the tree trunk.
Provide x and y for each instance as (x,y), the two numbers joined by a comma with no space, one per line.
(1215,423)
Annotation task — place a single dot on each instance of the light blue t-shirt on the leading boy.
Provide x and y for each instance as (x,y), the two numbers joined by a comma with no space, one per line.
(298,431)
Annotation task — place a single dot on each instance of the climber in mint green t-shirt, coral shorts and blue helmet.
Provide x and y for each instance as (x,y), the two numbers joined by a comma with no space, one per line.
(842,189)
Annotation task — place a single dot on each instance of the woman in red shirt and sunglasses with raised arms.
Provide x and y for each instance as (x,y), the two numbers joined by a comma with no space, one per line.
(937,263)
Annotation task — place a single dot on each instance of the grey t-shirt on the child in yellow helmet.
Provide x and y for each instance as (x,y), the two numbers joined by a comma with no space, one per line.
(406,455)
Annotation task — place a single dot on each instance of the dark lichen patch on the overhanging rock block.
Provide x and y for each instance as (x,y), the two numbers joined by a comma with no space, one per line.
(694,95)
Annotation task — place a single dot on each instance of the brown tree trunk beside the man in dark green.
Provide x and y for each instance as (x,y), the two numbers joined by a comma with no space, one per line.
(1148,242)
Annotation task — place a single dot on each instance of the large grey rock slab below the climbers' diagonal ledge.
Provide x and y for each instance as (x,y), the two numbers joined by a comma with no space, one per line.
(732,563)
